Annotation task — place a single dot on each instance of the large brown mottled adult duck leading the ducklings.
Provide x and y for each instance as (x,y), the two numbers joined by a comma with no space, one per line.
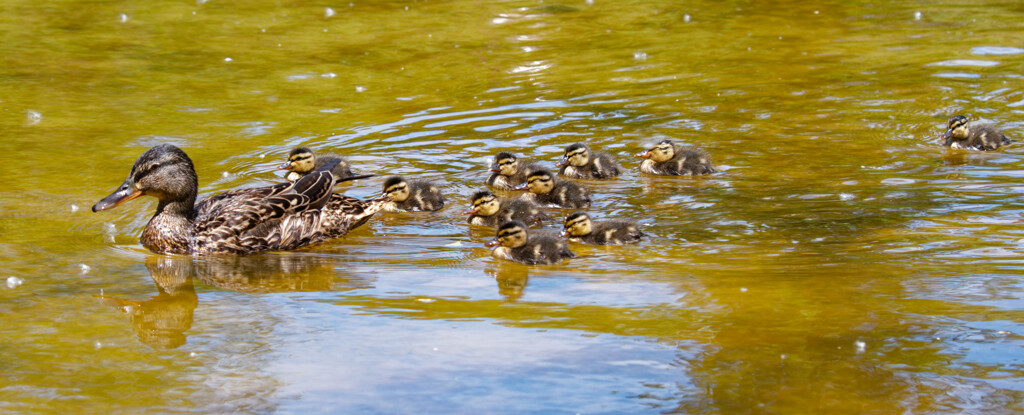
(240,222)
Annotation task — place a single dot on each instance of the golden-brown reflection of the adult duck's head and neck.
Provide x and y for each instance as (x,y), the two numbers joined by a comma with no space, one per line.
(162,321)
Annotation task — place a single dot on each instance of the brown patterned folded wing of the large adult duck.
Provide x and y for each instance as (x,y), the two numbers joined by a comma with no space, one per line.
(224,220)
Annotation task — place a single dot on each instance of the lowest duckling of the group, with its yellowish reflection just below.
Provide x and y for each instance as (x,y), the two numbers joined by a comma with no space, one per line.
(518,245)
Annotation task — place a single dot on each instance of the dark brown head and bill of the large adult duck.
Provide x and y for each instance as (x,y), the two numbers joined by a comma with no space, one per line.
(164,173)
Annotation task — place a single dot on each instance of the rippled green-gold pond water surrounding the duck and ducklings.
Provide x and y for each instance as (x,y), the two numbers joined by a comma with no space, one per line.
(843,262)
